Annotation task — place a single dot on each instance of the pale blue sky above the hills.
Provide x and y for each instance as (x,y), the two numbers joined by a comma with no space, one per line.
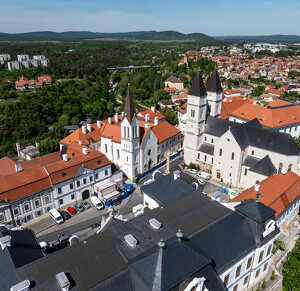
(212,17)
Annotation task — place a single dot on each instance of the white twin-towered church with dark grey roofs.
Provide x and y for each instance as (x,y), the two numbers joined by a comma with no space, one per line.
(236,154)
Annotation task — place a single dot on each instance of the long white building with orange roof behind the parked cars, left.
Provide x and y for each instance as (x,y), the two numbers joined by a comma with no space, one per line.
(56,180)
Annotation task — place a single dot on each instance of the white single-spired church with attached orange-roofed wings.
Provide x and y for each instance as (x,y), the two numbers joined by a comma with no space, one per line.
(133,142)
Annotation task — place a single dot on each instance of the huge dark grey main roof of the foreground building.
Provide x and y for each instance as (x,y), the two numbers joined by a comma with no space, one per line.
(105,261)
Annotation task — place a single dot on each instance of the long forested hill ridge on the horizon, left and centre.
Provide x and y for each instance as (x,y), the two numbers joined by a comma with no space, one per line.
(86,35)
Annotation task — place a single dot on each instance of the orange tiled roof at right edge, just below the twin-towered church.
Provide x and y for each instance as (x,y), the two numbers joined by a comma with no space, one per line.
(278,192)
